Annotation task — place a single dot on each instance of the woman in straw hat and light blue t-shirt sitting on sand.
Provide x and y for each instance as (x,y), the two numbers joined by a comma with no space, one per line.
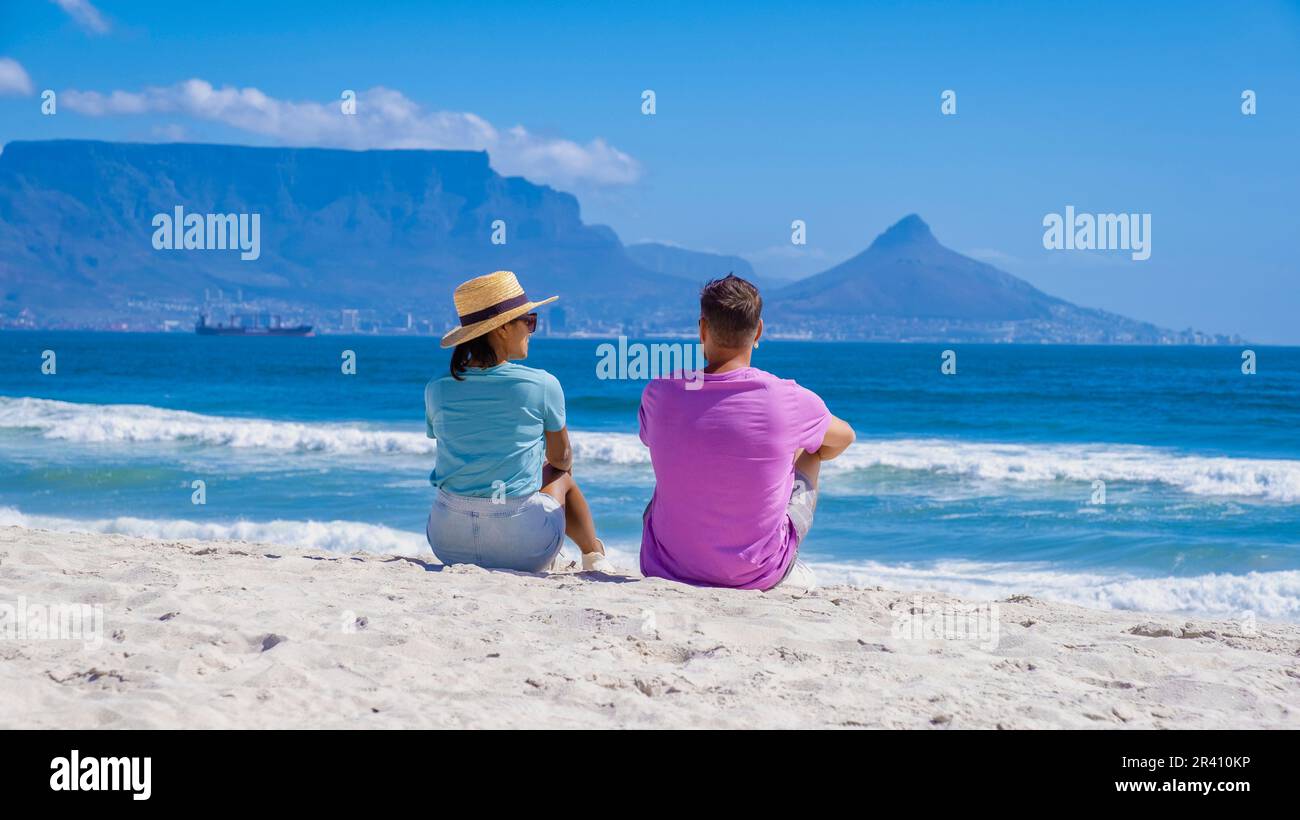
(506,497)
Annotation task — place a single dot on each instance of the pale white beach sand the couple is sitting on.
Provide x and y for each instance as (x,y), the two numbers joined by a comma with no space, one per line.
(231,635)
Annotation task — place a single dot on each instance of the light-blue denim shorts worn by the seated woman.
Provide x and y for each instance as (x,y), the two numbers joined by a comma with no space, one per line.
(514,533)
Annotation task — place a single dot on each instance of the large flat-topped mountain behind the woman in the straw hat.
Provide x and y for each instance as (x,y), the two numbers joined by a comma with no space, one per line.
(392,231)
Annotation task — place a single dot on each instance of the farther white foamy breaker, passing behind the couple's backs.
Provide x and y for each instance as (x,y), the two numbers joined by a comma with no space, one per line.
(1276,480)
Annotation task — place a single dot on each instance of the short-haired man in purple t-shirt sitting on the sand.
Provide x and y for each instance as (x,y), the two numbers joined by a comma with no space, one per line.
(736,459)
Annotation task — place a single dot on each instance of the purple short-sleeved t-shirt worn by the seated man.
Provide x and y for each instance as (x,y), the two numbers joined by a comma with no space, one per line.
(725,467)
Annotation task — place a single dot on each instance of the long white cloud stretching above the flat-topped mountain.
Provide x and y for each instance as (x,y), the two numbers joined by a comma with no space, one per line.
(384,119)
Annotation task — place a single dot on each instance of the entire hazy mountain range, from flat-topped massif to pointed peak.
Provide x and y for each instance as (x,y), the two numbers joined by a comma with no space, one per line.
(391,233)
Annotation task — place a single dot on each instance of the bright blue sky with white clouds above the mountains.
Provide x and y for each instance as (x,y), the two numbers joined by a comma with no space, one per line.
(765,114)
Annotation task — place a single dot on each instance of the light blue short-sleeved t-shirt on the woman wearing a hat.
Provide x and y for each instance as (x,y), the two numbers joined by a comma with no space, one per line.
(489,428)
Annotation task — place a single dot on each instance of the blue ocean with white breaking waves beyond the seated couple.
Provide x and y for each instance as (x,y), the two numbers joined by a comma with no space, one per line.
(1159,479)
